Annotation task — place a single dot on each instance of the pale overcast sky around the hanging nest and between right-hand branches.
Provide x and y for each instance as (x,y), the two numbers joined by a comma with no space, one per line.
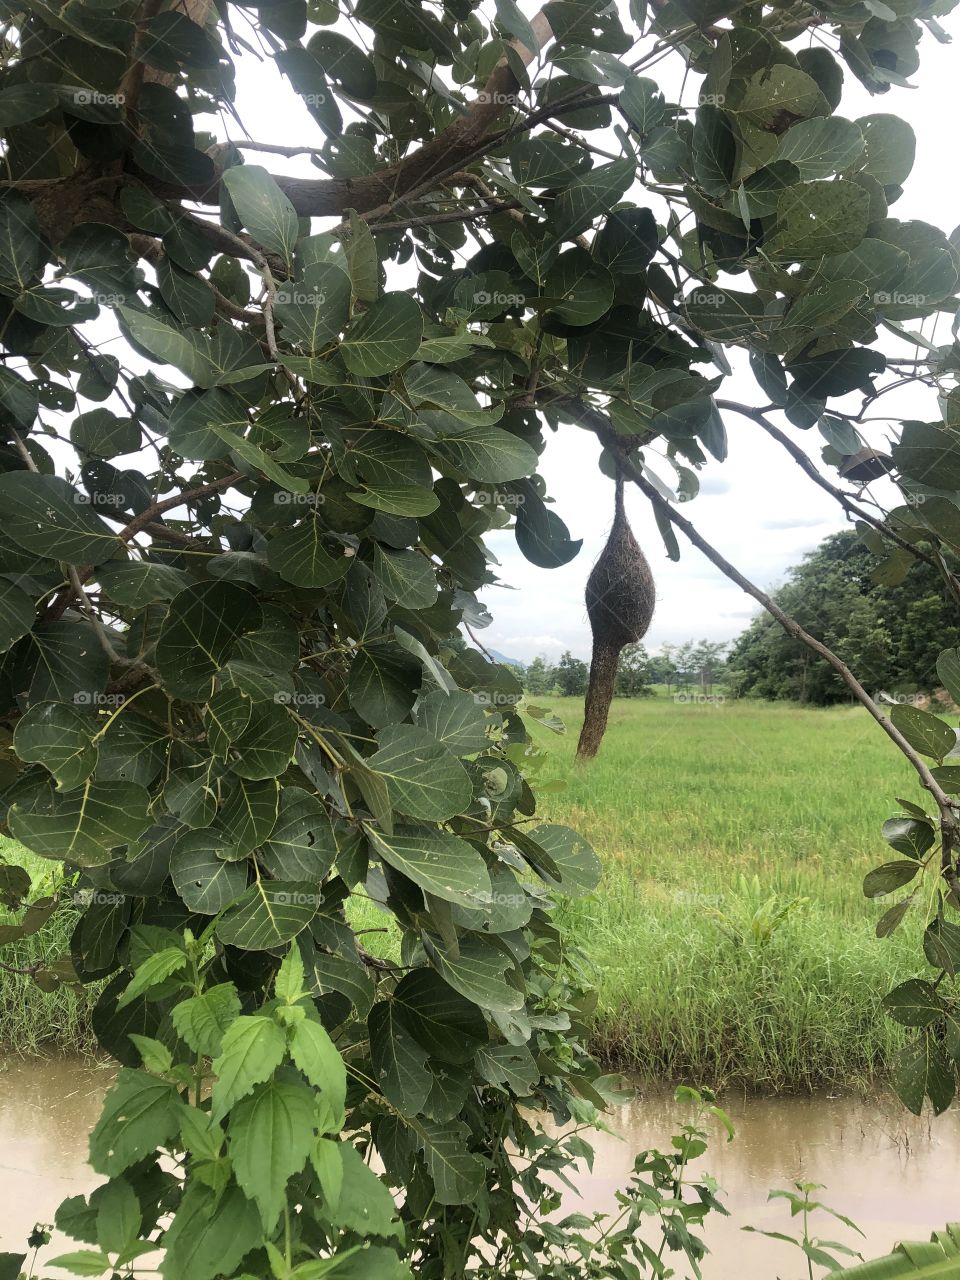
(757,508)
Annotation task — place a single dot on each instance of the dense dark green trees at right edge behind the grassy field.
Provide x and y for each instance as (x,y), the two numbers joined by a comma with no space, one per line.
(888,621)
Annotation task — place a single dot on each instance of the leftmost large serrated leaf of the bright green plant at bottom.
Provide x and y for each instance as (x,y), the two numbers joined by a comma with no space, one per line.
(140,1114)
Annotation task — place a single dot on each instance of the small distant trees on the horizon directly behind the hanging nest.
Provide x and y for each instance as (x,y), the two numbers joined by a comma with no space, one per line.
(697,664)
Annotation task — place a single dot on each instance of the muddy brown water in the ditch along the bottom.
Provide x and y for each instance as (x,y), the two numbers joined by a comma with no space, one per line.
(893,1174)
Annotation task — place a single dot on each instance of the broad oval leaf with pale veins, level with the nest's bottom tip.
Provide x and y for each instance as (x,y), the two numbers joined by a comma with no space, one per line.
(423,779)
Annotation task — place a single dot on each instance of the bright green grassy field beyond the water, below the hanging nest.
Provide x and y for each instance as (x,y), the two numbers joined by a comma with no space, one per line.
(710,820)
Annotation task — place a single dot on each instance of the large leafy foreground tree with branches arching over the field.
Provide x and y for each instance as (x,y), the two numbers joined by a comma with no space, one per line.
(239,543)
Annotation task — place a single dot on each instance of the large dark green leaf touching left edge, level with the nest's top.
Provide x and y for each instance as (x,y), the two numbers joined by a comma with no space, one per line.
(49,518)
